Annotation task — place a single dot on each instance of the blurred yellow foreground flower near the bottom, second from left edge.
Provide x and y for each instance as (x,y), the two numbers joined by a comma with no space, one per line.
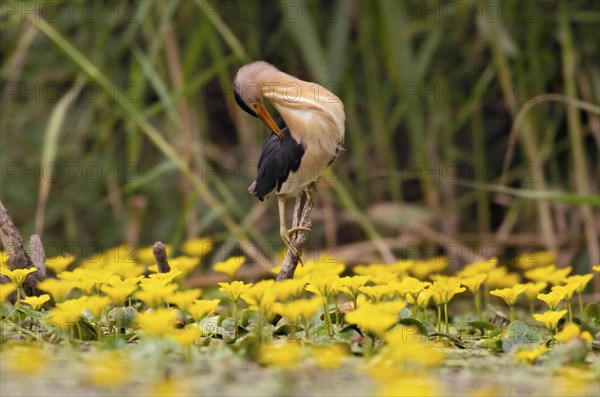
(108,369)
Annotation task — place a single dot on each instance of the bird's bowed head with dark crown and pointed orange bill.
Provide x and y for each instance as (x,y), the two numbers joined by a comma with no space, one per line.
(248,92)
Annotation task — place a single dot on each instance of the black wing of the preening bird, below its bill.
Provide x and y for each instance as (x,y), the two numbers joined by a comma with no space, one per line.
(278,158)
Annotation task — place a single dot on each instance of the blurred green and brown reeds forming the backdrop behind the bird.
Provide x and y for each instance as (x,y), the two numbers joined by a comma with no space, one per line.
(119,124)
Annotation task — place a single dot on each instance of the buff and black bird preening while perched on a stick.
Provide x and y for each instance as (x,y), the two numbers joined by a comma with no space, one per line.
(304,141)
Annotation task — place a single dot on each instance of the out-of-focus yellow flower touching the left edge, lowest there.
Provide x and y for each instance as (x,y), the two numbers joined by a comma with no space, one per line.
(27,359)
